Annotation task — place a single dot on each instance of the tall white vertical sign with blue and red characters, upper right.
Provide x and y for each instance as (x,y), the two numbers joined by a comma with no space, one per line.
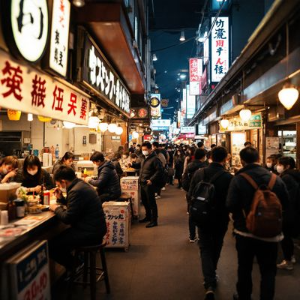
(219,48)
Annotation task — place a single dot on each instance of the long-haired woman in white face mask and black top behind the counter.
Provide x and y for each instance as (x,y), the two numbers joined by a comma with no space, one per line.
(33,177)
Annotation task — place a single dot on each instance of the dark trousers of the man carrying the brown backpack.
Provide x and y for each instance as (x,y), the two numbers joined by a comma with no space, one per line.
(266,254)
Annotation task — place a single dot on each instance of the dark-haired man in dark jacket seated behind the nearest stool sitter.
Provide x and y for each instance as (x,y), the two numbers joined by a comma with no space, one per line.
(107,182)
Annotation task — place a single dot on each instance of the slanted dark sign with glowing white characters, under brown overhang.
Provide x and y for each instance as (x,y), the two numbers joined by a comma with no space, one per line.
(99,75)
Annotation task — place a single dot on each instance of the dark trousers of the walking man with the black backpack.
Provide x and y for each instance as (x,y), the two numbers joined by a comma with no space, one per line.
(210,244)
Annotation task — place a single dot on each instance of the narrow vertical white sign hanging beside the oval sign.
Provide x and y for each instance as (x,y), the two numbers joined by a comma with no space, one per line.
(58,60)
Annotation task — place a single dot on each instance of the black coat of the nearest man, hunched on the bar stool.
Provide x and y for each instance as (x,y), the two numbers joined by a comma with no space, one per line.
(84,210)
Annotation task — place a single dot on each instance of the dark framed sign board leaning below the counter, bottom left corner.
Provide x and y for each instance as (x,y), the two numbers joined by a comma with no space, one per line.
(29,273)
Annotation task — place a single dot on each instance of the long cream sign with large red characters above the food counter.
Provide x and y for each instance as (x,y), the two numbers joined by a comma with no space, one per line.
(26,89)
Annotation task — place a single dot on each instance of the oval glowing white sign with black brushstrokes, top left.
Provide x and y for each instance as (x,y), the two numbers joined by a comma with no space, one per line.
(29,22)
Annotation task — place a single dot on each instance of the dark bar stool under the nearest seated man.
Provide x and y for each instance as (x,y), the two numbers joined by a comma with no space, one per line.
(90,267)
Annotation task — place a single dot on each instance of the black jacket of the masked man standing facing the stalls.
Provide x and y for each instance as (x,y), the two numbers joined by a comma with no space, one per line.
(150,169)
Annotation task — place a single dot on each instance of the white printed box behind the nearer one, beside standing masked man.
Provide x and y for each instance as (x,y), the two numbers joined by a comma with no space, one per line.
(130,185)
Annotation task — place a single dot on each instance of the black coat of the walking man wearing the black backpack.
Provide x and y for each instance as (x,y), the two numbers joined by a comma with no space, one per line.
(221,185)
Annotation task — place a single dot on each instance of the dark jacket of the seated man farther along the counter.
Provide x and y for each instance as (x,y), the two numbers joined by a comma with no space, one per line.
(108,181)
